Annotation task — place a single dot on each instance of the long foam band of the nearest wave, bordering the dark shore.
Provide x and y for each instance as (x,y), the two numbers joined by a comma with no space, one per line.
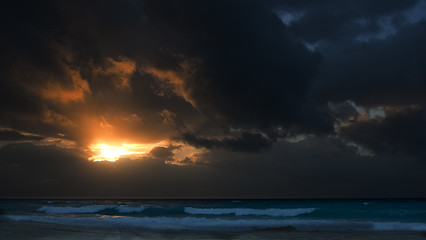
(218,224)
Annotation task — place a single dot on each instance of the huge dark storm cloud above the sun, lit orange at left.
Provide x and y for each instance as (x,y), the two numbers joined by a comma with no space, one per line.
(248,71)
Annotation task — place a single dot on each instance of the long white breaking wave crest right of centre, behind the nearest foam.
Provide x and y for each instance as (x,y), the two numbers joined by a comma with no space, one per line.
(273,212)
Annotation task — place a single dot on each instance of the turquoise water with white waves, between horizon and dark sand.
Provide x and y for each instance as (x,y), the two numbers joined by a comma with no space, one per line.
(224,215)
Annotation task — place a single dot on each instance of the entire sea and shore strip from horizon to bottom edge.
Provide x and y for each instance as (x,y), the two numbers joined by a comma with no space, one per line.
(213,219)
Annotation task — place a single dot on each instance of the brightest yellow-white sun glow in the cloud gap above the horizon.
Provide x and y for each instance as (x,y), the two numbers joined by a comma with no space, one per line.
(110,153)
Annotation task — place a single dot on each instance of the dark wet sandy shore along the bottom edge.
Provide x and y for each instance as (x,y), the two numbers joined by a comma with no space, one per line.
(34,230)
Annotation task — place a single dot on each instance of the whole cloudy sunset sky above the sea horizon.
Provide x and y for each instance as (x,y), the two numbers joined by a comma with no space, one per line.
(213,99)
